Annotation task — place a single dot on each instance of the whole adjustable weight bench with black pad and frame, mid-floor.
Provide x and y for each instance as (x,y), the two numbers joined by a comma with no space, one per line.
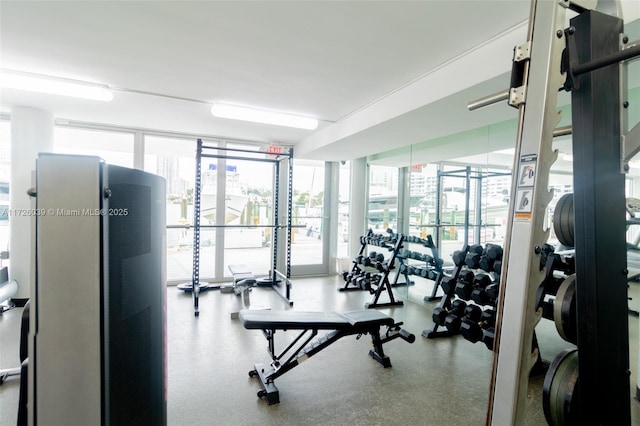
(345,324)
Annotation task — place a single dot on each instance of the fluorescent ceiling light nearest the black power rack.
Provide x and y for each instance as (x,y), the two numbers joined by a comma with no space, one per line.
(236,112)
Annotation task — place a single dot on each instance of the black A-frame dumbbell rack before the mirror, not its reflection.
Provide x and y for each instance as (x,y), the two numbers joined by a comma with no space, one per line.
(380,278)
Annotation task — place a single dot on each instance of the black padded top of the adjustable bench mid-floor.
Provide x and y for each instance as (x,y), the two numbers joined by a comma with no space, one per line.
(296,320)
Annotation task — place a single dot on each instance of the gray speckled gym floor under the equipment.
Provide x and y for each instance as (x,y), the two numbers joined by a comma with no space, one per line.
(432,381)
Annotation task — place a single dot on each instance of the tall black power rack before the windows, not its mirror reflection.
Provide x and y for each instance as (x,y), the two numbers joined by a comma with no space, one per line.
(207,151)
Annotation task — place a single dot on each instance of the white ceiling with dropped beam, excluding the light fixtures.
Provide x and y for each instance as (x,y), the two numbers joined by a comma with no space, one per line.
(379,74)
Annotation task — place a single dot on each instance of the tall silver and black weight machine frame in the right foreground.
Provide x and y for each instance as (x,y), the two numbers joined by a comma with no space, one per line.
(590,386)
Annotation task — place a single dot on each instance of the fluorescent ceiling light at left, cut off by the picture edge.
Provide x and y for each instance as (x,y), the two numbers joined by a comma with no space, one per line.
(54,85)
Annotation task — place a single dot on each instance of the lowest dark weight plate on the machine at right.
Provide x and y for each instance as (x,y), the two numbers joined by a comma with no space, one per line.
(560,389)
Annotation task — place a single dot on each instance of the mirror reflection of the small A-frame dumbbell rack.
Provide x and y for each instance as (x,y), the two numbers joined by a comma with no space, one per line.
(431,269)
